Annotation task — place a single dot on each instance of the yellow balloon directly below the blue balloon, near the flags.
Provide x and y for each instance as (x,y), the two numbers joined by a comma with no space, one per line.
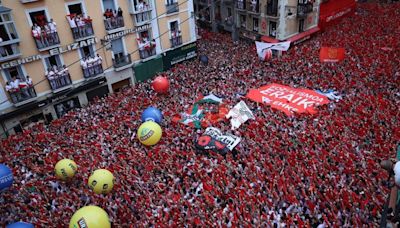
(149,133)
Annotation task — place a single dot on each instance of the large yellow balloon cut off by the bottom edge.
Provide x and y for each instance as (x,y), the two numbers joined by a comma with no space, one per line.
(90,217)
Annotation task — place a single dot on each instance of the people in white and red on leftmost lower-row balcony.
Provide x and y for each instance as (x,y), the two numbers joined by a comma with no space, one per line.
(20,90)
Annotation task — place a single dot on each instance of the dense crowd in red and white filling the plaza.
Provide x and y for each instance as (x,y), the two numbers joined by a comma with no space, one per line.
(320,170)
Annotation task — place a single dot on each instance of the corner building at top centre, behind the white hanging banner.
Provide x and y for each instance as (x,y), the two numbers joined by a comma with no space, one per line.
(267,20)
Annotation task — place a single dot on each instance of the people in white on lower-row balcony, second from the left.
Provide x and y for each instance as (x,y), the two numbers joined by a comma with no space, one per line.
(58,77)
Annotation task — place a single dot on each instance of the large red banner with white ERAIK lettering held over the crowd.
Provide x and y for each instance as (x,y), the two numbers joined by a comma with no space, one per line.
(288,99)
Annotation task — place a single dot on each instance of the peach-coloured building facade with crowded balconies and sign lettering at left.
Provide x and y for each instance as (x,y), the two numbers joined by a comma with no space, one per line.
(56,55)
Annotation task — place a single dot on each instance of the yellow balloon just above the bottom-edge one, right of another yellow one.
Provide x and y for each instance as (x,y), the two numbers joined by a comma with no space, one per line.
(101,181)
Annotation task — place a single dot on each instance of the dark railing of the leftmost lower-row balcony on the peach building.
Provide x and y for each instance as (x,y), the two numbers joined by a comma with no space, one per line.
(21,93)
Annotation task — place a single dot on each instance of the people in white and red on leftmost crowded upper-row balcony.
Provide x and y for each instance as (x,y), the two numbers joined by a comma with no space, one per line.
(46,34)
